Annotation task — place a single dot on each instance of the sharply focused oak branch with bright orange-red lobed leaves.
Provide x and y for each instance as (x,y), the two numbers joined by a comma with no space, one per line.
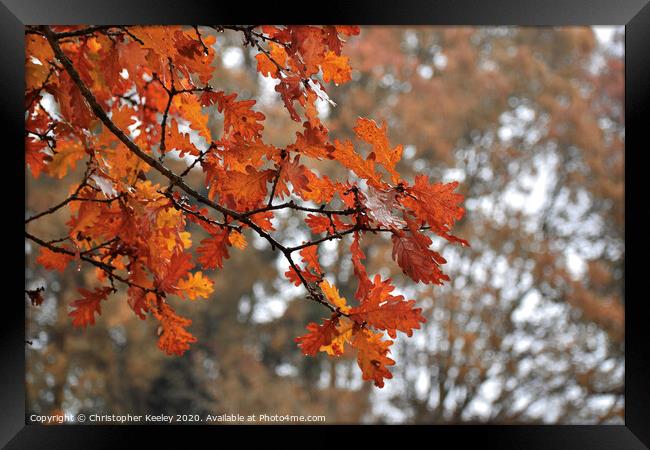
(124,98)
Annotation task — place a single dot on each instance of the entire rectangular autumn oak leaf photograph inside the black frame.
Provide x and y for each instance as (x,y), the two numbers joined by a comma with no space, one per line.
(246,224)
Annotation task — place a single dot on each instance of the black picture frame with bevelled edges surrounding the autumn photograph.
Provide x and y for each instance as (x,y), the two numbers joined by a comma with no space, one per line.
(633,14)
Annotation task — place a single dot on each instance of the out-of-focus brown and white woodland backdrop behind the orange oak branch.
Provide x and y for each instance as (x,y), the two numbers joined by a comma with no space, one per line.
(531,328)
